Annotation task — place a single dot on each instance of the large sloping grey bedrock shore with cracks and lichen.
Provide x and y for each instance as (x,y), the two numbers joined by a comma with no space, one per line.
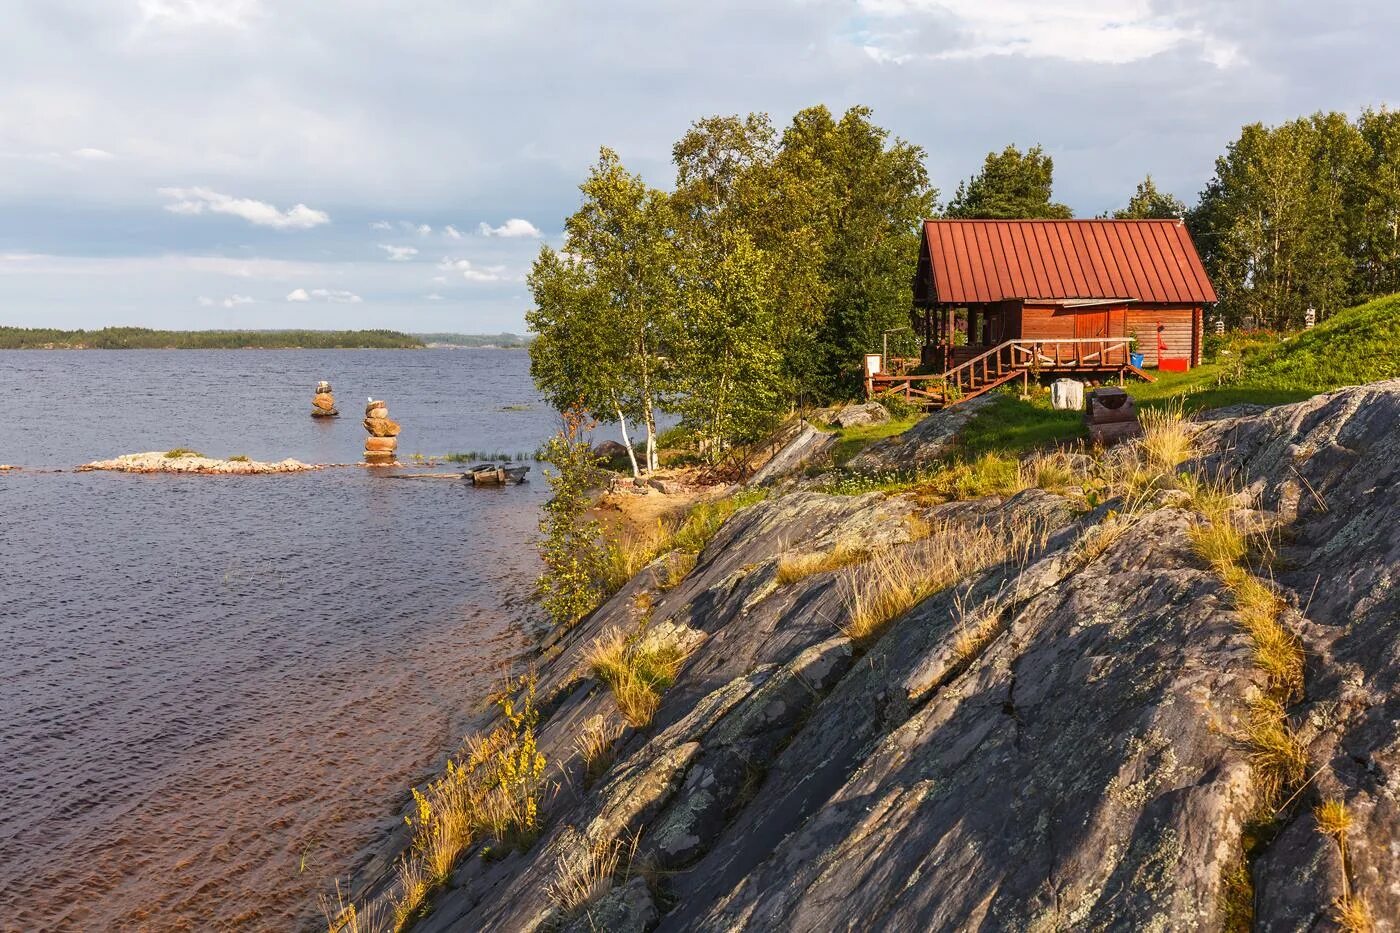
(1066,738)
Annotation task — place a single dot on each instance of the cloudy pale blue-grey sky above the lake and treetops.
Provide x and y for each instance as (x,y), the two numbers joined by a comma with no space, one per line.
(346,165)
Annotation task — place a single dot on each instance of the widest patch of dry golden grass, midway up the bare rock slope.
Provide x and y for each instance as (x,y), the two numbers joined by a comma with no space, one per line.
(897,581)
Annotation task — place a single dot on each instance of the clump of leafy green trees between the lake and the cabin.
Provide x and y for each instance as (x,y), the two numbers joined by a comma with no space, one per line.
(761,279)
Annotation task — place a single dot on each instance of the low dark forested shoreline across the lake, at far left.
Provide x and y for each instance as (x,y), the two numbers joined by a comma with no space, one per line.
(149,340)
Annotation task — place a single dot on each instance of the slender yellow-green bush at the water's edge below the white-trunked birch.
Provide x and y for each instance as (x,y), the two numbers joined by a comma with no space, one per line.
(570,547)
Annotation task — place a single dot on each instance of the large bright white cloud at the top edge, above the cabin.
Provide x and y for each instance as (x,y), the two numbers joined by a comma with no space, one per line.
(1100,32)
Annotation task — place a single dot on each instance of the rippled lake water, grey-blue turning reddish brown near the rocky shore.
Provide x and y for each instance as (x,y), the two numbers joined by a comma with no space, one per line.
(216,690)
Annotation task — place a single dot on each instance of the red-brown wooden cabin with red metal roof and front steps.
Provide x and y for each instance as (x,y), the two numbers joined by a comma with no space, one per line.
(1003,299)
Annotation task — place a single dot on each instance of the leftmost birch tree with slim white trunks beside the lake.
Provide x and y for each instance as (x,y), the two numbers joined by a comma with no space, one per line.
(605,307)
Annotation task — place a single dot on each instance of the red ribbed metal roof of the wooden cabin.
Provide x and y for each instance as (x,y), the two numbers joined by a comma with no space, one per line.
(979,261)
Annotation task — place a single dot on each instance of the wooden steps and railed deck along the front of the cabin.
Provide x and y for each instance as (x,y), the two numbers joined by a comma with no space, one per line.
(1006,362)
